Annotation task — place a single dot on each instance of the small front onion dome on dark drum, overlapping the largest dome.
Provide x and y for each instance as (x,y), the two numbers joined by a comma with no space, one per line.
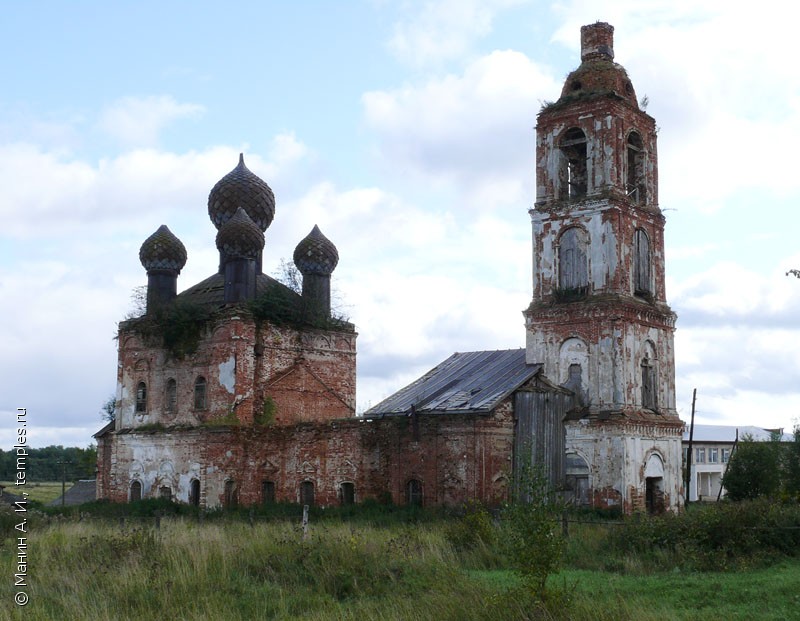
(240,242)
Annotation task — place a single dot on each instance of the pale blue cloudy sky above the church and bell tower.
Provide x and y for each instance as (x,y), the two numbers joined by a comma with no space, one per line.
(405,130)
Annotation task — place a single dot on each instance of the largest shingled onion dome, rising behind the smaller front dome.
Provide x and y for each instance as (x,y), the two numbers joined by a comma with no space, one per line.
(241,188)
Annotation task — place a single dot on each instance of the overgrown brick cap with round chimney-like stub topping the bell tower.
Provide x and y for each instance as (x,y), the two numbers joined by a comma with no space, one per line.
(598,74)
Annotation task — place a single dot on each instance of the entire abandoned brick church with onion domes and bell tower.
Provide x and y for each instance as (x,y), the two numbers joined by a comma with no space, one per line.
(239,390)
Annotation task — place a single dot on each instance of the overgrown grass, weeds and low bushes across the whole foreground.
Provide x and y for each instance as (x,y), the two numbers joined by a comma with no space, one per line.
(384,562)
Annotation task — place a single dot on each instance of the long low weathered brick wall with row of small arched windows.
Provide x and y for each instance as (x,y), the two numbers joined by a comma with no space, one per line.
(454,457)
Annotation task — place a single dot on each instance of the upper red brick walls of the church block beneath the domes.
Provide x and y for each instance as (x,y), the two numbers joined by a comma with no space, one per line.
(298,374)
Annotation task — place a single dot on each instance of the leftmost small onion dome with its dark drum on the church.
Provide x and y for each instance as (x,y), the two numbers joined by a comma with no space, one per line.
(163,256)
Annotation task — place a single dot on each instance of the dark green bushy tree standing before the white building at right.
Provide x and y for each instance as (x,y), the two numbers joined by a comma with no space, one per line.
(754,469)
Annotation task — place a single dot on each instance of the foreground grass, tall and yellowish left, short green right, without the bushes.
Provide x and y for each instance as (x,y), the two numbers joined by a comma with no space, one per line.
(100,569)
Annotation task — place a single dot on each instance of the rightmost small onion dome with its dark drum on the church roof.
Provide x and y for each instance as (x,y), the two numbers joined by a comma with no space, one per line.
(316,257)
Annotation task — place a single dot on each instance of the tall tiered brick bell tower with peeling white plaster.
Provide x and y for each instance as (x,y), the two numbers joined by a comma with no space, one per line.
(599,320)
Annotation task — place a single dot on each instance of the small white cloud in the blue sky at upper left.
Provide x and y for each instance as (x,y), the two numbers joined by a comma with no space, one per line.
(138,121)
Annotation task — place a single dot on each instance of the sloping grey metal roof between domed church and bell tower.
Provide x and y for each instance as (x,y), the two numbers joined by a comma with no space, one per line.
(473,381)
